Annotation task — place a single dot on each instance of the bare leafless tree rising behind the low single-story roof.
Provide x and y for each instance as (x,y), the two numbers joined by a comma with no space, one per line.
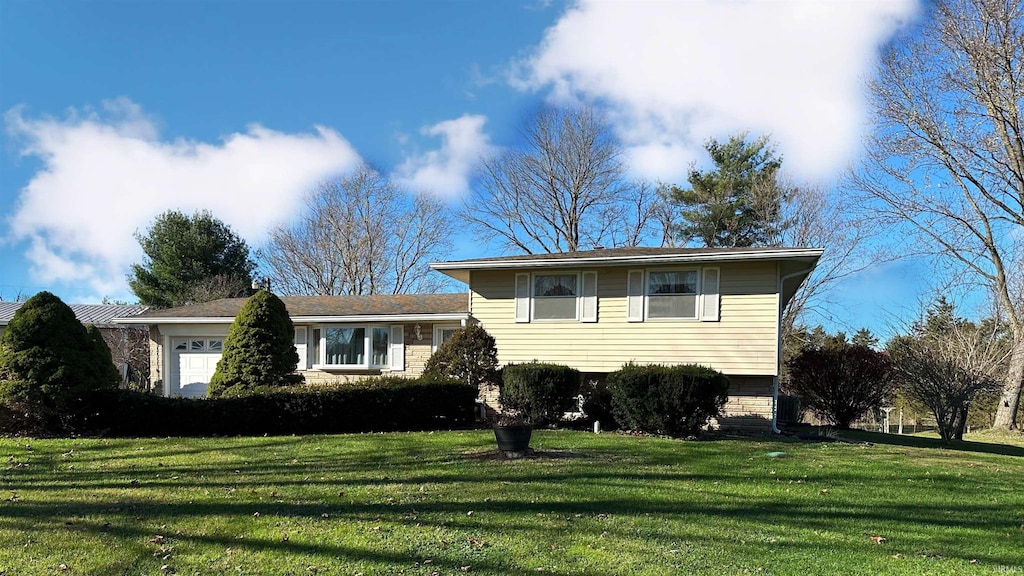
(360,235)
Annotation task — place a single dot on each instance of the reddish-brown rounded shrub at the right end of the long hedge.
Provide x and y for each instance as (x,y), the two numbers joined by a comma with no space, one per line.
(470,356)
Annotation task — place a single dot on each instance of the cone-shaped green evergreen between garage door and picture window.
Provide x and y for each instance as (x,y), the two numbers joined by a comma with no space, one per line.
(260,350)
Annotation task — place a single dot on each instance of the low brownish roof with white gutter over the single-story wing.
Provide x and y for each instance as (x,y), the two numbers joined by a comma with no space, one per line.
(324,309)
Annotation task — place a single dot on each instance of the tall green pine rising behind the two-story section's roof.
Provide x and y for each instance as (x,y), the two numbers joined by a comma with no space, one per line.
(737,203)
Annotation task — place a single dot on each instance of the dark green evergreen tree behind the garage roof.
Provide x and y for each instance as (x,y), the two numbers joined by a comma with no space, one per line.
(191,260)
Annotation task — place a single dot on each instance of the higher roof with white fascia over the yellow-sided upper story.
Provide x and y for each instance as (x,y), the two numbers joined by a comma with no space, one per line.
(626,257)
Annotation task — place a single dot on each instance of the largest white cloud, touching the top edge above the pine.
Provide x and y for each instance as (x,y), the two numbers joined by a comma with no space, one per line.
(674,74)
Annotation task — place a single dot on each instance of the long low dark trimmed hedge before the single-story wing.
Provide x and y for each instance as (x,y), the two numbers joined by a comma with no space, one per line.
(372,405)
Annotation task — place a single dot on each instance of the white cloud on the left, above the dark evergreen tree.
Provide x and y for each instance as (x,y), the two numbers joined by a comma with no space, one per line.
(108,174)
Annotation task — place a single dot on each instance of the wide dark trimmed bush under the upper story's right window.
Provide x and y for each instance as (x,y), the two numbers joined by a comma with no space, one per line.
(672,400)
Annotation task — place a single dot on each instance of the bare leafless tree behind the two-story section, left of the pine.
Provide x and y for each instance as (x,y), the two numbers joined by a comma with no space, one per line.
(566,189)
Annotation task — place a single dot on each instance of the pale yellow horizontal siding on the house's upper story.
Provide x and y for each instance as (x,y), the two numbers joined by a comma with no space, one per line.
(742,343)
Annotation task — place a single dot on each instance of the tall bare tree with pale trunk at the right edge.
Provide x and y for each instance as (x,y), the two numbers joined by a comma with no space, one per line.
(947,161)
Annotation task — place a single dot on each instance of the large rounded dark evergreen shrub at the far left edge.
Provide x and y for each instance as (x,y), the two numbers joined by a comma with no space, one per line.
(49,360)
